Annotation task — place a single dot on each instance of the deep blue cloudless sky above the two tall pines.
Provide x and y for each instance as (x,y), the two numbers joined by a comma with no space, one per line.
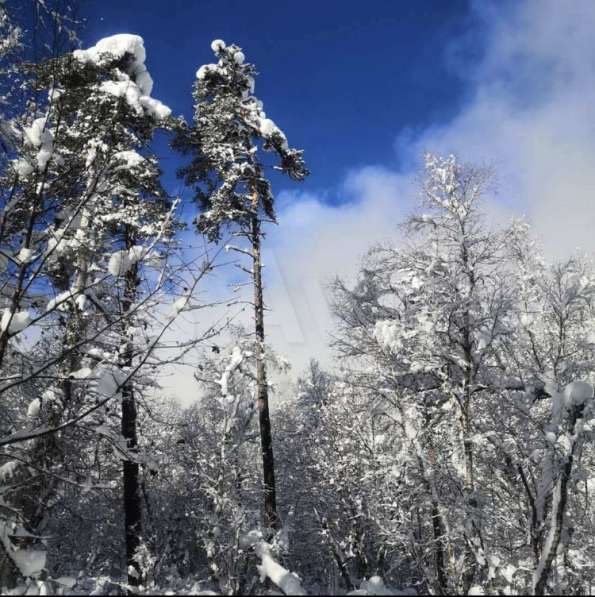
(341,77)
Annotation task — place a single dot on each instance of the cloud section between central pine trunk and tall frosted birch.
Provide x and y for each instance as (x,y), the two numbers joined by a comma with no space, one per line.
(316,242)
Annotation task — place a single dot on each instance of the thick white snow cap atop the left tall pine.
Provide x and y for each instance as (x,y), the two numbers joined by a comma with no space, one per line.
(135,83)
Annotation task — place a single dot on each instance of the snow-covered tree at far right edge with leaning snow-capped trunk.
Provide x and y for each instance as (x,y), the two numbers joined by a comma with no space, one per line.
(553,348)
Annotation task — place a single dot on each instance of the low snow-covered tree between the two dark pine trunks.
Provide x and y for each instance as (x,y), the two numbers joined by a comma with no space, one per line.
(213,481)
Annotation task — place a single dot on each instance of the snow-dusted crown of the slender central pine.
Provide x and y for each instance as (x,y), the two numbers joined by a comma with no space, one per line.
(230,129)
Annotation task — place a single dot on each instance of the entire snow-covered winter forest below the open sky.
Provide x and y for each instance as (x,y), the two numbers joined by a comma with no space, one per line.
(445,448)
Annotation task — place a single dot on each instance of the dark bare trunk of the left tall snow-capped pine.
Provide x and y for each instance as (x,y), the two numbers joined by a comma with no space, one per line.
(130,478)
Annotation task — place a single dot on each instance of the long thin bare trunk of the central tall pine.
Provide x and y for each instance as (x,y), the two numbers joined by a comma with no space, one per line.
(262,394)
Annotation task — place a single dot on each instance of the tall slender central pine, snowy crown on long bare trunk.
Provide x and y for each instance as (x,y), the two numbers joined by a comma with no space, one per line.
(230,128)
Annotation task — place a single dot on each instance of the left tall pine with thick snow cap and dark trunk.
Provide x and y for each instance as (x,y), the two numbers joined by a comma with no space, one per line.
(136,216)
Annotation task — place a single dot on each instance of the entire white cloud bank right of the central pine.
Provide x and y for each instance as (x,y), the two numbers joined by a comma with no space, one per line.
(530,115)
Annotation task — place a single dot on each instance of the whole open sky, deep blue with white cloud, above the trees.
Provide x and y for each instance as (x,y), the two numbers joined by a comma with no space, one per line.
(365,88)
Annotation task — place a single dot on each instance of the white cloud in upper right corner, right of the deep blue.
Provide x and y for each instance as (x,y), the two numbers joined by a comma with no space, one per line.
(532,116)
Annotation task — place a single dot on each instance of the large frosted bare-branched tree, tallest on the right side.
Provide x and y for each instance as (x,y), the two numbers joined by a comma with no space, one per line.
(469,345)
